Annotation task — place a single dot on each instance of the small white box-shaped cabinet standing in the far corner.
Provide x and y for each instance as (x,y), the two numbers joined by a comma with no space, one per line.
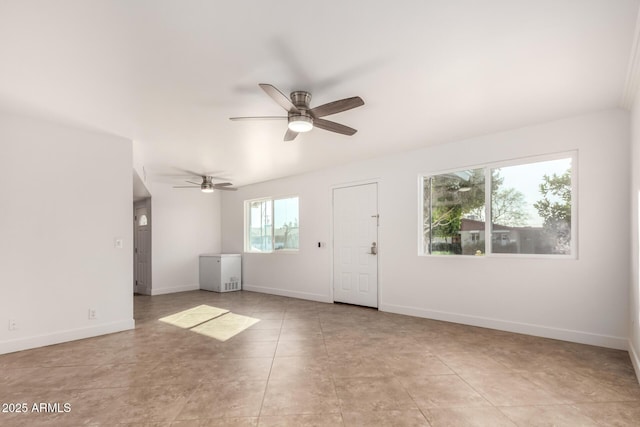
(221,272)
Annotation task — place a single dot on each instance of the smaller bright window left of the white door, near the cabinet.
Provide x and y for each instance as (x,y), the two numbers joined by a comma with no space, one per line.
(272,225)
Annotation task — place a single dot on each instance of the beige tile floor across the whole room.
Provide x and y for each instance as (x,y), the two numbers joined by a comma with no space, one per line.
(314,364)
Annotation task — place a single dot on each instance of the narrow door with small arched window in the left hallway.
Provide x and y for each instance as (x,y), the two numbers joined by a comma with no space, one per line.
(142,250)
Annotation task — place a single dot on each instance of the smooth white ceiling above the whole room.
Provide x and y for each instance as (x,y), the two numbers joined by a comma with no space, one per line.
(169,74)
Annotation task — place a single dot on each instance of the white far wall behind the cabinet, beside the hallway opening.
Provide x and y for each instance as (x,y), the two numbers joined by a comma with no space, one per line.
(185,223)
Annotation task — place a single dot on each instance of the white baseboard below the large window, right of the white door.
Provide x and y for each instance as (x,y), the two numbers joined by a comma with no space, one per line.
(608,341)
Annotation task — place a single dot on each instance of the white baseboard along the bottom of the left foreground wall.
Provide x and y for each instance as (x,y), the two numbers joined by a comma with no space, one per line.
(64,336)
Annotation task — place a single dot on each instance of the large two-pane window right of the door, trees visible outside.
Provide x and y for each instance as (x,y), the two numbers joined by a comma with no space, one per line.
(530,205)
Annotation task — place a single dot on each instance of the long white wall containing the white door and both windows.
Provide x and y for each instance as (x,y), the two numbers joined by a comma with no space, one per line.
(583,300)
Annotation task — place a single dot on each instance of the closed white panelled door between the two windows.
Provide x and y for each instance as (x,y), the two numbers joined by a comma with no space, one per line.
(355,232)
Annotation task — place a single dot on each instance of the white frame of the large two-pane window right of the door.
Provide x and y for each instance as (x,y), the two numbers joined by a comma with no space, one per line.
(573,155)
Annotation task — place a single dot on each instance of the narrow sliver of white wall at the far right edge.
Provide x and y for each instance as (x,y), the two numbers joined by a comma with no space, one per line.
(634,288)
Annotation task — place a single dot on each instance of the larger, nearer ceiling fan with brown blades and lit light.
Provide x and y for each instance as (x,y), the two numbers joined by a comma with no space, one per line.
(302,118)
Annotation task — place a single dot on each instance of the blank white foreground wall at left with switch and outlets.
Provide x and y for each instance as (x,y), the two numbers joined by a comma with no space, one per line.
(65,195)
